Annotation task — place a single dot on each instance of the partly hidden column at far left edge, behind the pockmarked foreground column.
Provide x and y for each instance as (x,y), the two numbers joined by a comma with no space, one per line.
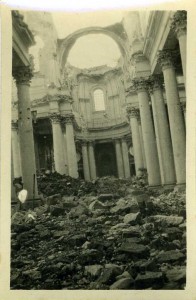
(15,151)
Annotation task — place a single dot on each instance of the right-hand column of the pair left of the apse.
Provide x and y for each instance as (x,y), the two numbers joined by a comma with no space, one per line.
(71,147)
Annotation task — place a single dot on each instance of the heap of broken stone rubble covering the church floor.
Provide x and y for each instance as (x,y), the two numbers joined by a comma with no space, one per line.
(107,234)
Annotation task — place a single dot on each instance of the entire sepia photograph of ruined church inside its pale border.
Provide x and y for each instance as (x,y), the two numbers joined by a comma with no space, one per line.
(98,150)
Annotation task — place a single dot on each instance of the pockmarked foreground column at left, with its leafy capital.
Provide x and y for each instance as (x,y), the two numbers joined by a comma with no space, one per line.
(25,129)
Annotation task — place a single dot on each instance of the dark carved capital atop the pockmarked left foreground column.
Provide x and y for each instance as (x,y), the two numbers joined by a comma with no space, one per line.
(22,74)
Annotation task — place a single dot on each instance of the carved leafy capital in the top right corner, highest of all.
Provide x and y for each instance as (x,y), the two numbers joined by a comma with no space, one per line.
(179,23)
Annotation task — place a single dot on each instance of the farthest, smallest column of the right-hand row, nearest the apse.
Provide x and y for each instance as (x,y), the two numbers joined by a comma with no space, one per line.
(137,147)
